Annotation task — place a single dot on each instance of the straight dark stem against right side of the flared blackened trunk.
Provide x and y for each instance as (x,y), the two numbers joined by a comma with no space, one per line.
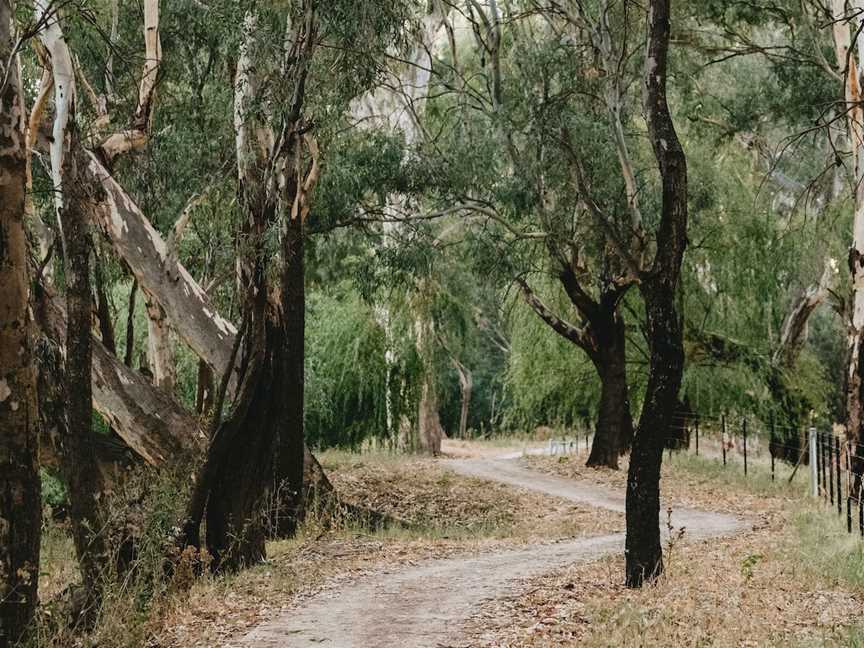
(289,473)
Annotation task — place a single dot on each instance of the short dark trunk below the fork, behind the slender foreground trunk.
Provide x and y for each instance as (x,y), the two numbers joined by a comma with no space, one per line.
(614,430)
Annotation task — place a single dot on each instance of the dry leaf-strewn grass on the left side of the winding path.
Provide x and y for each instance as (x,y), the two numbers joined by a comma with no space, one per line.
(449,514)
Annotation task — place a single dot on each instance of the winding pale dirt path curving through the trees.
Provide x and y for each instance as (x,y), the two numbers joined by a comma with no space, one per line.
(424,606)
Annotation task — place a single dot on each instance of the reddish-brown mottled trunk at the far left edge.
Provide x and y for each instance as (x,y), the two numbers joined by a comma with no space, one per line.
(20,504)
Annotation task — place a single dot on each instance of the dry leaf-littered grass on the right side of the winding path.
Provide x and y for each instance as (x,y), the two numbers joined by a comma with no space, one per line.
(771,586)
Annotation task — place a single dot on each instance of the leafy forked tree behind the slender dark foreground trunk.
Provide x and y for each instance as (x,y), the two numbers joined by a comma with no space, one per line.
(510,101)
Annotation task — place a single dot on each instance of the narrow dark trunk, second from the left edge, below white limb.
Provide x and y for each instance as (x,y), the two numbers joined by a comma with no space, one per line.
(78,458)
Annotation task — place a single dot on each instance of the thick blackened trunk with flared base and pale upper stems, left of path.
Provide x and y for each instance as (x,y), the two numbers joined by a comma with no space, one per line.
(263,436)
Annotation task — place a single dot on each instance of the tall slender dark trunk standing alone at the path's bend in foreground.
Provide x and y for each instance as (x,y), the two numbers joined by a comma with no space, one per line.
(643,551)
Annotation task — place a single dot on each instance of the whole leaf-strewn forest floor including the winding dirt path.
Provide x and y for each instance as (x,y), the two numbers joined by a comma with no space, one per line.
(526,551)
